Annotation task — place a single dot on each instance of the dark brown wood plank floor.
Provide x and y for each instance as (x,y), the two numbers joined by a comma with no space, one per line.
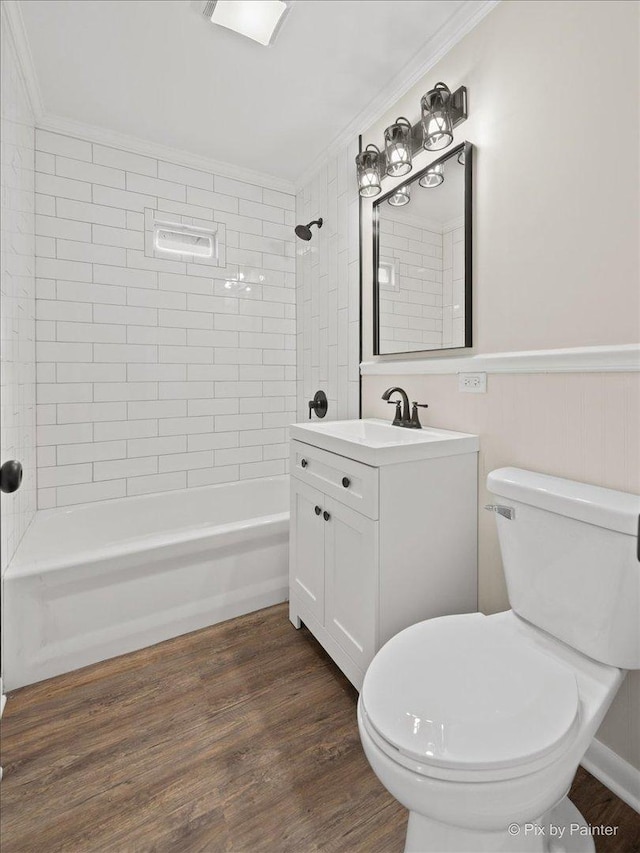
(240,737)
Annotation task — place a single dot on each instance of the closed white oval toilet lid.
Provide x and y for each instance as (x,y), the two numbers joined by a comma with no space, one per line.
(464,693)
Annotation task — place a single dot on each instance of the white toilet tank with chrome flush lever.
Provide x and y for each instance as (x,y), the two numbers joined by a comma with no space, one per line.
(571,561)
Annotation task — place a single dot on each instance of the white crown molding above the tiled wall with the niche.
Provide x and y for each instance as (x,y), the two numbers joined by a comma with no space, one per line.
(113,139)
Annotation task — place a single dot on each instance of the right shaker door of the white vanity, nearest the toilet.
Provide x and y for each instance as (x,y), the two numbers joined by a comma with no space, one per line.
(351,581)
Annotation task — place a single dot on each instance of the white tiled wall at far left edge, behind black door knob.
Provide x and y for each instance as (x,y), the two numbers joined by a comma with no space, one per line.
(17,297)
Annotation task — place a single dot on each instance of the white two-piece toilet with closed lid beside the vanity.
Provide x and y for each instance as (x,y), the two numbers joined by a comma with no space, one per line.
(477,724)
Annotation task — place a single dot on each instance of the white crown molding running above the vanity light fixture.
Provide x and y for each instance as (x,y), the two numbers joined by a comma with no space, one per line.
(461,22)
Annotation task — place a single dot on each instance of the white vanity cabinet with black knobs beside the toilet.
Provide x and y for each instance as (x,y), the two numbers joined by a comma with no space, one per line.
(375,548)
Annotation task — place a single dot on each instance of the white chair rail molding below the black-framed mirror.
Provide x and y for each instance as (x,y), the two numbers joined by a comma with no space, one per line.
(624,358)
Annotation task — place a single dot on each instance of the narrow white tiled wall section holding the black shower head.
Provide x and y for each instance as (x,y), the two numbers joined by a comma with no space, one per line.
(328,300)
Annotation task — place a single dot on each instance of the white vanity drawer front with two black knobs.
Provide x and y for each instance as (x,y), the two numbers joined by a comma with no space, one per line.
(351,483)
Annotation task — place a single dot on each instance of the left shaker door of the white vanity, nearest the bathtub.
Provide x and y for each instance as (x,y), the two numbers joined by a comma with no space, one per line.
(306,547)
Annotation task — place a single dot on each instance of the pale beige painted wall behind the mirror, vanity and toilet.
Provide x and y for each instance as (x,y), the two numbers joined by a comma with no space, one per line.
(555,259)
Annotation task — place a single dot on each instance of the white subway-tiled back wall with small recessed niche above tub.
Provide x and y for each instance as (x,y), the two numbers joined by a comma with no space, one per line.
(152,374)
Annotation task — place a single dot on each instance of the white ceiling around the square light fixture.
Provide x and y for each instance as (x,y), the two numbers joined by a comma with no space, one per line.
(159,71)
